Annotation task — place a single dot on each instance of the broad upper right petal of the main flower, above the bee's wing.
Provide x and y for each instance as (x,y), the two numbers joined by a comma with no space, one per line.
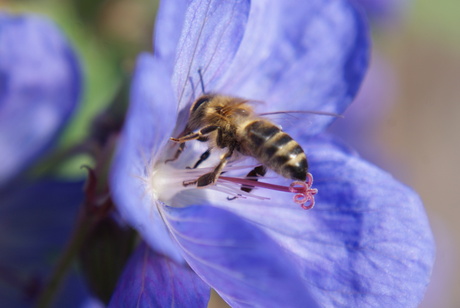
(298,55)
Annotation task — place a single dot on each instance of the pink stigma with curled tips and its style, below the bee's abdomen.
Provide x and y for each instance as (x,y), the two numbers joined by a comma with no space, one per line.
(304,194)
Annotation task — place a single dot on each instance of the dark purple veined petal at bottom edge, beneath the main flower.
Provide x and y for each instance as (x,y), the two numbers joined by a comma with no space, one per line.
(152,280)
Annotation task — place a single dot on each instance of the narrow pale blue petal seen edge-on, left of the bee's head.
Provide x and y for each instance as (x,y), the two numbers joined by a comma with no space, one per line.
(149,125)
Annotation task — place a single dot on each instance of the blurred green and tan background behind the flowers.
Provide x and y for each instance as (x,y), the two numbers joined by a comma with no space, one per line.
(420,132)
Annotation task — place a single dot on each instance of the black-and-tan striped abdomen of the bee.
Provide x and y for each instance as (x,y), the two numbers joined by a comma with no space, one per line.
(275,149)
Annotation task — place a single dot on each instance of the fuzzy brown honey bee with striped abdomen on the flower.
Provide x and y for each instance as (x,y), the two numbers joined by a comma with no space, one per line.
(231,123)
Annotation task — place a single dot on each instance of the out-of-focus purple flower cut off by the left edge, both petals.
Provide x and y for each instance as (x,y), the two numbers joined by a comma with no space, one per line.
(39,89)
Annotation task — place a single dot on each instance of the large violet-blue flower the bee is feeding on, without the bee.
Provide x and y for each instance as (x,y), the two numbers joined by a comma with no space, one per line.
(367,242)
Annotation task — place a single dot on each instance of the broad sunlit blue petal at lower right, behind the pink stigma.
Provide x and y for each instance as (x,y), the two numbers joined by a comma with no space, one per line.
(367,242)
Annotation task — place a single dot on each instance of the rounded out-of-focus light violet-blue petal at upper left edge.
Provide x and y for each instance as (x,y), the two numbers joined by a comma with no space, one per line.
(39,89)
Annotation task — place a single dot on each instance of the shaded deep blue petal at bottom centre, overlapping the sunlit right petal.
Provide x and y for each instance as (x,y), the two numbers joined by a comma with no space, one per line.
(238,260)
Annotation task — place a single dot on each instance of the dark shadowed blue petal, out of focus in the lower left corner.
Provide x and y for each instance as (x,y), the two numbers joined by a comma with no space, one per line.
(35,222)
